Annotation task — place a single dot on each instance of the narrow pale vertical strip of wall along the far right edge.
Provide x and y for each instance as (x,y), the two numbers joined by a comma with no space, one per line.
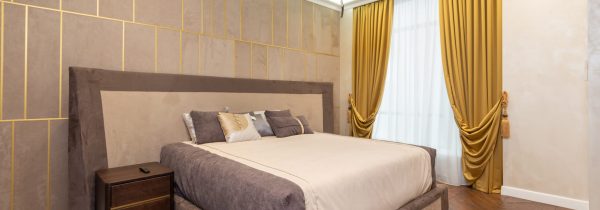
(594,101)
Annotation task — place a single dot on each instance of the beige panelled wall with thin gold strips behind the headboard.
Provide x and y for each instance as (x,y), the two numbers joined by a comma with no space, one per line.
(263,39)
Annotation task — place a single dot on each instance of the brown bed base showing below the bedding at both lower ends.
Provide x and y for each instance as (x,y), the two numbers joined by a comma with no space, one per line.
(435,199)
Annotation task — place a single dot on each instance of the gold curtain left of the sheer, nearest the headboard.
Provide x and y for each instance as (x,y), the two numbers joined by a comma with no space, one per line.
(372,26)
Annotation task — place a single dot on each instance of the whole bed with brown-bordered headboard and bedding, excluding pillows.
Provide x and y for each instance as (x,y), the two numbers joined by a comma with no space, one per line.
(122,118)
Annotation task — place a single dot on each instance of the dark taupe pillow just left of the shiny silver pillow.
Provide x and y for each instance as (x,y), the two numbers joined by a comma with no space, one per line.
(207,127)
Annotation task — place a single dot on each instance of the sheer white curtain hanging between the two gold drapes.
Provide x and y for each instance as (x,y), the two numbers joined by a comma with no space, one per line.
(415,107)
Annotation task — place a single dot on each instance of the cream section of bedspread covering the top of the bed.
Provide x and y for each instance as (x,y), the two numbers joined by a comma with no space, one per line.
(338,172)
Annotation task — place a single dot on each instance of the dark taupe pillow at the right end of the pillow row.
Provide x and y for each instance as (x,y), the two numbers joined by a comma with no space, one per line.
(288,126)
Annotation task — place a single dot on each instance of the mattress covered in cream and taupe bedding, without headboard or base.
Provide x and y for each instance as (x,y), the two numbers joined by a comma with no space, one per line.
(312,171)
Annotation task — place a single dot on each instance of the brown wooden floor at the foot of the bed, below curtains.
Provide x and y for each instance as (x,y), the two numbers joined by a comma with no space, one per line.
(465,198)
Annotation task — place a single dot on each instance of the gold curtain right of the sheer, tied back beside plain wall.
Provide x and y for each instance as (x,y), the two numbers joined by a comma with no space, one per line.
(471,35)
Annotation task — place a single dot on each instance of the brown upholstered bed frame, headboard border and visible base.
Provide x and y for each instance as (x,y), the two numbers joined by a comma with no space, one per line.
(88,138)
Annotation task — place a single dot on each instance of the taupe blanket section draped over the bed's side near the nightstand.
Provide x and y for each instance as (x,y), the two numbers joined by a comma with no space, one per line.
(212,182)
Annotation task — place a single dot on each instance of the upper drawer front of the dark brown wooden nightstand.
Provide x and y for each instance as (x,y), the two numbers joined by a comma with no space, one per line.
(138,191)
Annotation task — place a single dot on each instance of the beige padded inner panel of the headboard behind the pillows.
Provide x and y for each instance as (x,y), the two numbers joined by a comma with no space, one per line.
(137,124)
